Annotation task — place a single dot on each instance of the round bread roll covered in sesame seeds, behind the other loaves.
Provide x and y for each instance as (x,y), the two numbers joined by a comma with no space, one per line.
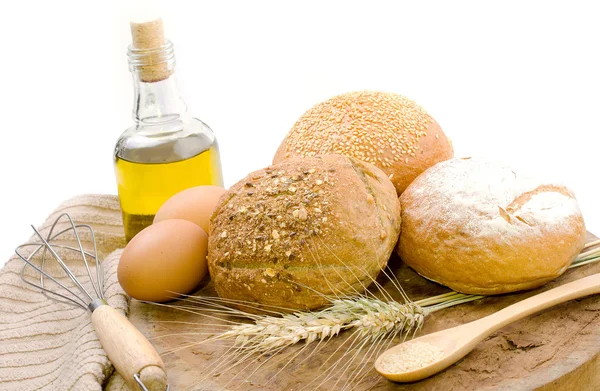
(385,129)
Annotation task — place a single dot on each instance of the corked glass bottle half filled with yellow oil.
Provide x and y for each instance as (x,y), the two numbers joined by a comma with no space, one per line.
(166,150)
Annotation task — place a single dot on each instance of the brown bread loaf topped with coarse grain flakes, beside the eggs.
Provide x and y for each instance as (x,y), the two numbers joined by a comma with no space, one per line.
(292,232)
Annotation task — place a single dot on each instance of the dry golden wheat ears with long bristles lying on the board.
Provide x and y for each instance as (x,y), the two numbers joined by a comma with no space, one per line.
(371,323)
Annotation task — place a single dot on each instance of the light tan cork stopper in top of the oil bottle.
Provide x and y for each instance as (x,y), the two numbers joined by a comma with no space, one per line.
(148,45)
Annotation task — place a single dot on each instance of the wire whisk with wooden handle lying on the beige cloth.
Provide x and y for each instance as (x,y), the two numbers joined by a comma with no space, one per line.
(134,358)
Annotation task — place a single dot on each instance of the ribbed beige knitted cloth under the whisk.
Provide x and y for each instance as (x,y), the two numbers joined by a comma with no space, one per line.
(45,345)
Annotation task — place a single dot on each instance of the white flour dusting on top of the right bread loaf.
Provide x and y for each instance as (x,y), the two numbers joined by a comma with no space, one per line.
(475,187)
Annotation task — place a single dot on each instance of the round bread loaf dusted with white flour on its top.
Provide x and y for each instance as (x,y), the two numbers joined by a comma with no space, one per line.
(478,227)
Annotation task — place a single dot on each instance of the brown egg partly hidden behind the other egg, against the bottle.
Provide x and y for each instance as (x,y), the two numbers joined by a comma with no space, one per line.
(195,204)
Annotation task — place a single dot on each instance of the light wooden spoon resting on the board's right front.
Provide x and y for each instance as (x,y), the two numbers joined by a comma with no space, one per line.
(457,342)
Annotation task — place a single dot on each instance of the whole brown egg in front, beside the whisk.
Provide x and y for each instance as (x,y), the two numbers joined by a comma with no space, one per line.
(163,261)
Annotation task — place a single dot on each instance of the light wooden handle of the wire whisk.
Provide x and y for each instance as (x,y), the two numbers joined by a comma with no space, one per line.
(128,349)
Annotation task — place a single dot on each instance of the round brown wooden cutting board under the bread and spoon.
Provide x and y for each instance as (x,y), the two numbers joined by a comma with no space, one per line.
(558,349)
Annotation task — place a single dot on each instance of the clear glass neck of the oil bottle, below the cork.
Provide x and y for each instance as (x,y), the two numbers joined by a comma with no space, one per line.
(158,101)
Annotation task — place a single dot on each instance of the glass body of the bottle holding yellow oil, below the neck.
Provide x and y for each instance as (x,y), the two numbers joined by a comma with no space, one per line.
(149,172)
